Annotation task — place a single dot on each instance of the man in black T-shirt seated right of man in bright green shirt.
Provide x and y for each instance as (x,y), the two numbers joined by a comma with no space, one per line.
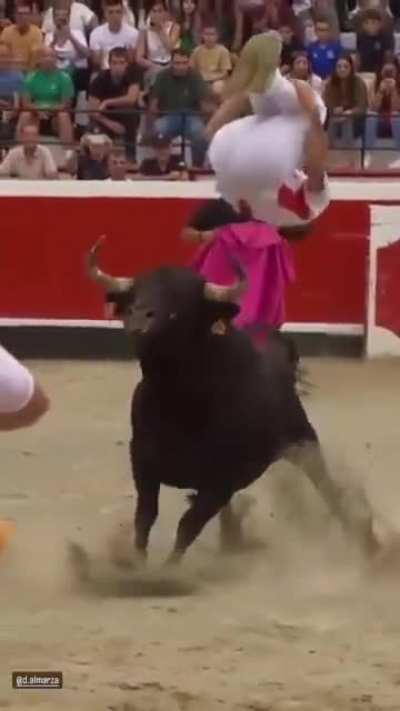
(114,95)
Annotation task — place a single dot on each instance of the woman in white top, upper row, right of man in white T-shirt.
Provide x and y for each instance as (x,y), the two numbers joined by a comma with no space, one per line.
(156,43)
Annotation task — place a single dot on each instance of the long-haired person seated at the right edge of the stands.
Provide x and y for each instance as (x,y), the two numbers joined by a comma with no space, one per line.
(383,118)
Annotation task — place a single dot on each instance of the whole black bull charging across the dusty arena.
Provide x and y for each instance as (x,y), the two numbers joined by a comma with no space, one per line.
(211,413)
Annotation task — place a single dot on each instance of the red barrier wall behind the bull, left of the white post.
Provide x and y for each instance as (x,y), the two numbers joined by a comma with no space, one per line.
(44,240)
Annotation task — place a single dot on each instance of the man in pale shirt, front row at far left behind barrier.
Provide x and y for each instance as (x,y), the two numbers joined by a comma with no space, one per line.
(30,161)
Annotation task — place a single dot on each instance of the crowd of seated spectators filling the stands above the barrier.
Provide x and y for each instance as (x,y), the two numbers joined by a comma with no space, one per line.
(116,83)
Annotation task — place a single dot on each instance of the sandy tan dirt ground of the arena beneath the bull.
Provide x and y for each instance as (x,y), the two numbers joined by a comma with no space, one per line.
(298,623)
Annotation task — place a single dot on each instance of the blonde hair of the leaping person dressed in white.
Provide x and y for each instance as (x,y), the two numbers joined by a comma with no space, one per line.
(257,63)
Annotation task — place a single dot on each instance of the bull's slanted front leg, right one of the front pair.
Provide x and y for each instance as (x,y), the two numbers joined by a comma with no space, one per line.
(204,506)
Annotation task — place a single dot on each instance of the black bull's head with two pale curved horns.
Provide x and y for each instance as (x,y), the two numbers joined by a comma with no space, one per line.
(170,301)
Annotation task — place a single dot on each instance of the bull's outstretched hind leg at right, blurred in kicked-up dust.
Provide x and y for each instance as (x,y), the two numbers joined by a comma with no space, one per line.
(350,507)
